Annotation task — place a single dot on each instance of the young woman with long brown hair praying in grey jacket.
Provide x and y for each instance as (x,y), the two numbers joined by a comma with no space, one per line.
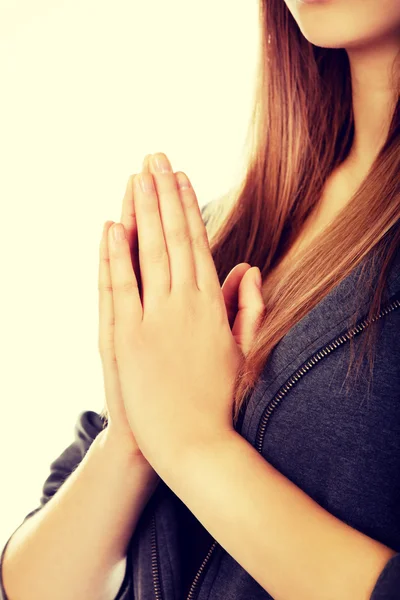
(243,453)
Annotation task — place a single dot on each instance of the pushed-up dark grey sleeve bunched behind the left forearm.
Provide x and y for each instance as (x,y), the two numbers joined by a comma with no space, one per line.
(89,424)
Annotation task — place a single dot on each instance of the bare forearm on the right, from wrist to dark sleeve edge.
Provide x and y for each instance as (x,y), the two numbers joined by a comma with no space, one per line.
(287,542)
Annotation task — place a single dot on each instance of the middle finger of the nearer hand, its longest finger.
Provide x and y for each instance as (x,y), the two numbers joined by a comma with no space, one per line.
(175,227)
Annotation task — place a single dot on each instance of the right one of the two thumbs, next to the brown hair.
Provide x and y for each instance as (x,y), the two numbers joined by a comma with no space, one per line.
(250,308)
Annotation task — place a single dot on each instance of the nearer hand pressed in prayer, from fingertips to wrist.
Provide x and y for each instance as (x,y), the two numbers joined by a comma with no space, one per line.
(176,354)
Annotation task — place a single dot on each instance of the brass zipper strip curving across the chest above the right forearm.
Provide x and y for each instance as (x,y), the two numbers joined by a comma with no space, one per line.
(315,359)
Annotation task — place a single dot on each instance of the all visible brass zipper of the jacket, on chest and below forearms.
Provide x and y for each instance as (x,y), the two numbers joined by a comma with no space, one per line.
(316,358)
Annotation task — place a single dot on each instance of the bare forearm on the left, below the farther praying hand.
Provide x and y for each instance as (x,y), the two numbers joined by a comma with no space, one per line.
(76,544)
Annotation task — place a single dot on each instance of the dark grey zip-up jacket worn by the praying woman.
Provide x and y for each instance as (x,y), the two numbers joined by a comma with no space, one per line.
(342,450)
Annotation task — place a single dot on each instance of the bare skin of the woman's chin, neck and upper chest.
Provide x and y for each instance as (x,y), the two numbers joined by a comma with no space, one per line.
(369,30)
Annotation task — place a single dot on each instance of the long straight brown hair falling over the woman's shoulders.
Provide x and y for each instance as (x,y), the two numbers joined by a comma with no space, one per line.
(302,128)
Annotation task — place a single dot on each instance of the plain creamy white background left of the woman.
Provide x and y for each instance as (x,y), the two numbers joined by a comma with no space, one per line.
(87,89)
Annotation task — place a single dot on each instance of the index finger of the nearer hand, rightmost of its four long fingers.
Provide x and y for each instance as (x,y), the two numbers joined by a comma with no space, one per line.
(206,274)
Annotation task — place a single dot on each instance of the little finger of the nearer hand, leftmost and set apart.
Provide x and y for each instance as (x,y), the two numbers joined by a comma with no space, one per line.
(126,298)
